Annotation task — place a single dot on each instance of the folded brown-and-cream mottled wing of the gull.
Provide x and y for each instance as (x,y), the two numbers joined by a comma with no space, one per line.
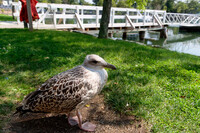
(61,93)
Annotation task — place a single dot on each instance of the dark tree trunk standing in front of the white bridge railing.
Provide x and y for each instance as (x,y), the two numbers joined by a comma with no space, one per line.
(103,32)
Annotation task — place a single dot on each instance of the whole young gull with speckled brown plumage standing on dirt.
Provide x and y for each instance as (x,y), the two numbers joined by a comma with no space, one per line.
(69,91)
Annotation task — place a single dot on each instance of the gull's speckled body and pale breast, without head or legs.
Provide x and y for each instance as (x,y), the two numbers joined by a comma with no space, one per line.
(66,91)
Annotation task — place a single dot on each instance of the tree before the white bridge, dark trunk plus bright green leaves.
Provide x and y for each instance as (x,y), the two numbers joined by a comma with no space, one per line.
(106,14)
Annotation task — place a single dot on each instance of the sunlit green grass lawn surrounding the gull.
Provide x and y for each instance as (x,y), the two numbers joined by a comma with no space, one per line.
(160,86)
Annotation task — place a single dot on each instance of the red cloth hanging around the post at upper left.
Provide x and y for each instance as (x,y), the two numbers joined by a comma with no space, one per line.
(24,13)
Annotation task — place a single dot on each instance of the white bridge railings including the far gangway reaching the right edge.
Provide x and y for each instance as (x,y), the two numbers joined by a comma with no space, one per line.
(64,16)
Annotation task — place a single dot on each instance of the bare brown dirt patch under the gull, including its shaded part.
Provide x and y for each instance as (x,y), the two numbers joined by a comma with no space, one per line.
(98,112)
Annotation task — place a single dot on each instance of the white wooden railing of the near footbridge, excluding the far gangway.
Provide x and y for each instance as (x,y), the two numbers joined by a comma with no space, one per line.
(78,16)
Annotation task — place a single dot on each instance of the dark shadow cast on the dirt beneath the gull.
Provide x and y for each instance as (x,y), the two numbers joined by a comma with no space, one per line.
(50,125)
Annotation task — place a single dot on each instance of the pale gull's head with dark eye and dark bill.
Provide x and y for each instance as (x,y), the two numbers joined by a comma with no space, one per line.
(96,62)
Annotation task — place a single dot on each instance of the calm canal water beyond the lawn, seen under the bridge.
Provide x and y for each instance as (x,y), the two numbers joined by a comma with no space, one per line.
(183,42)
